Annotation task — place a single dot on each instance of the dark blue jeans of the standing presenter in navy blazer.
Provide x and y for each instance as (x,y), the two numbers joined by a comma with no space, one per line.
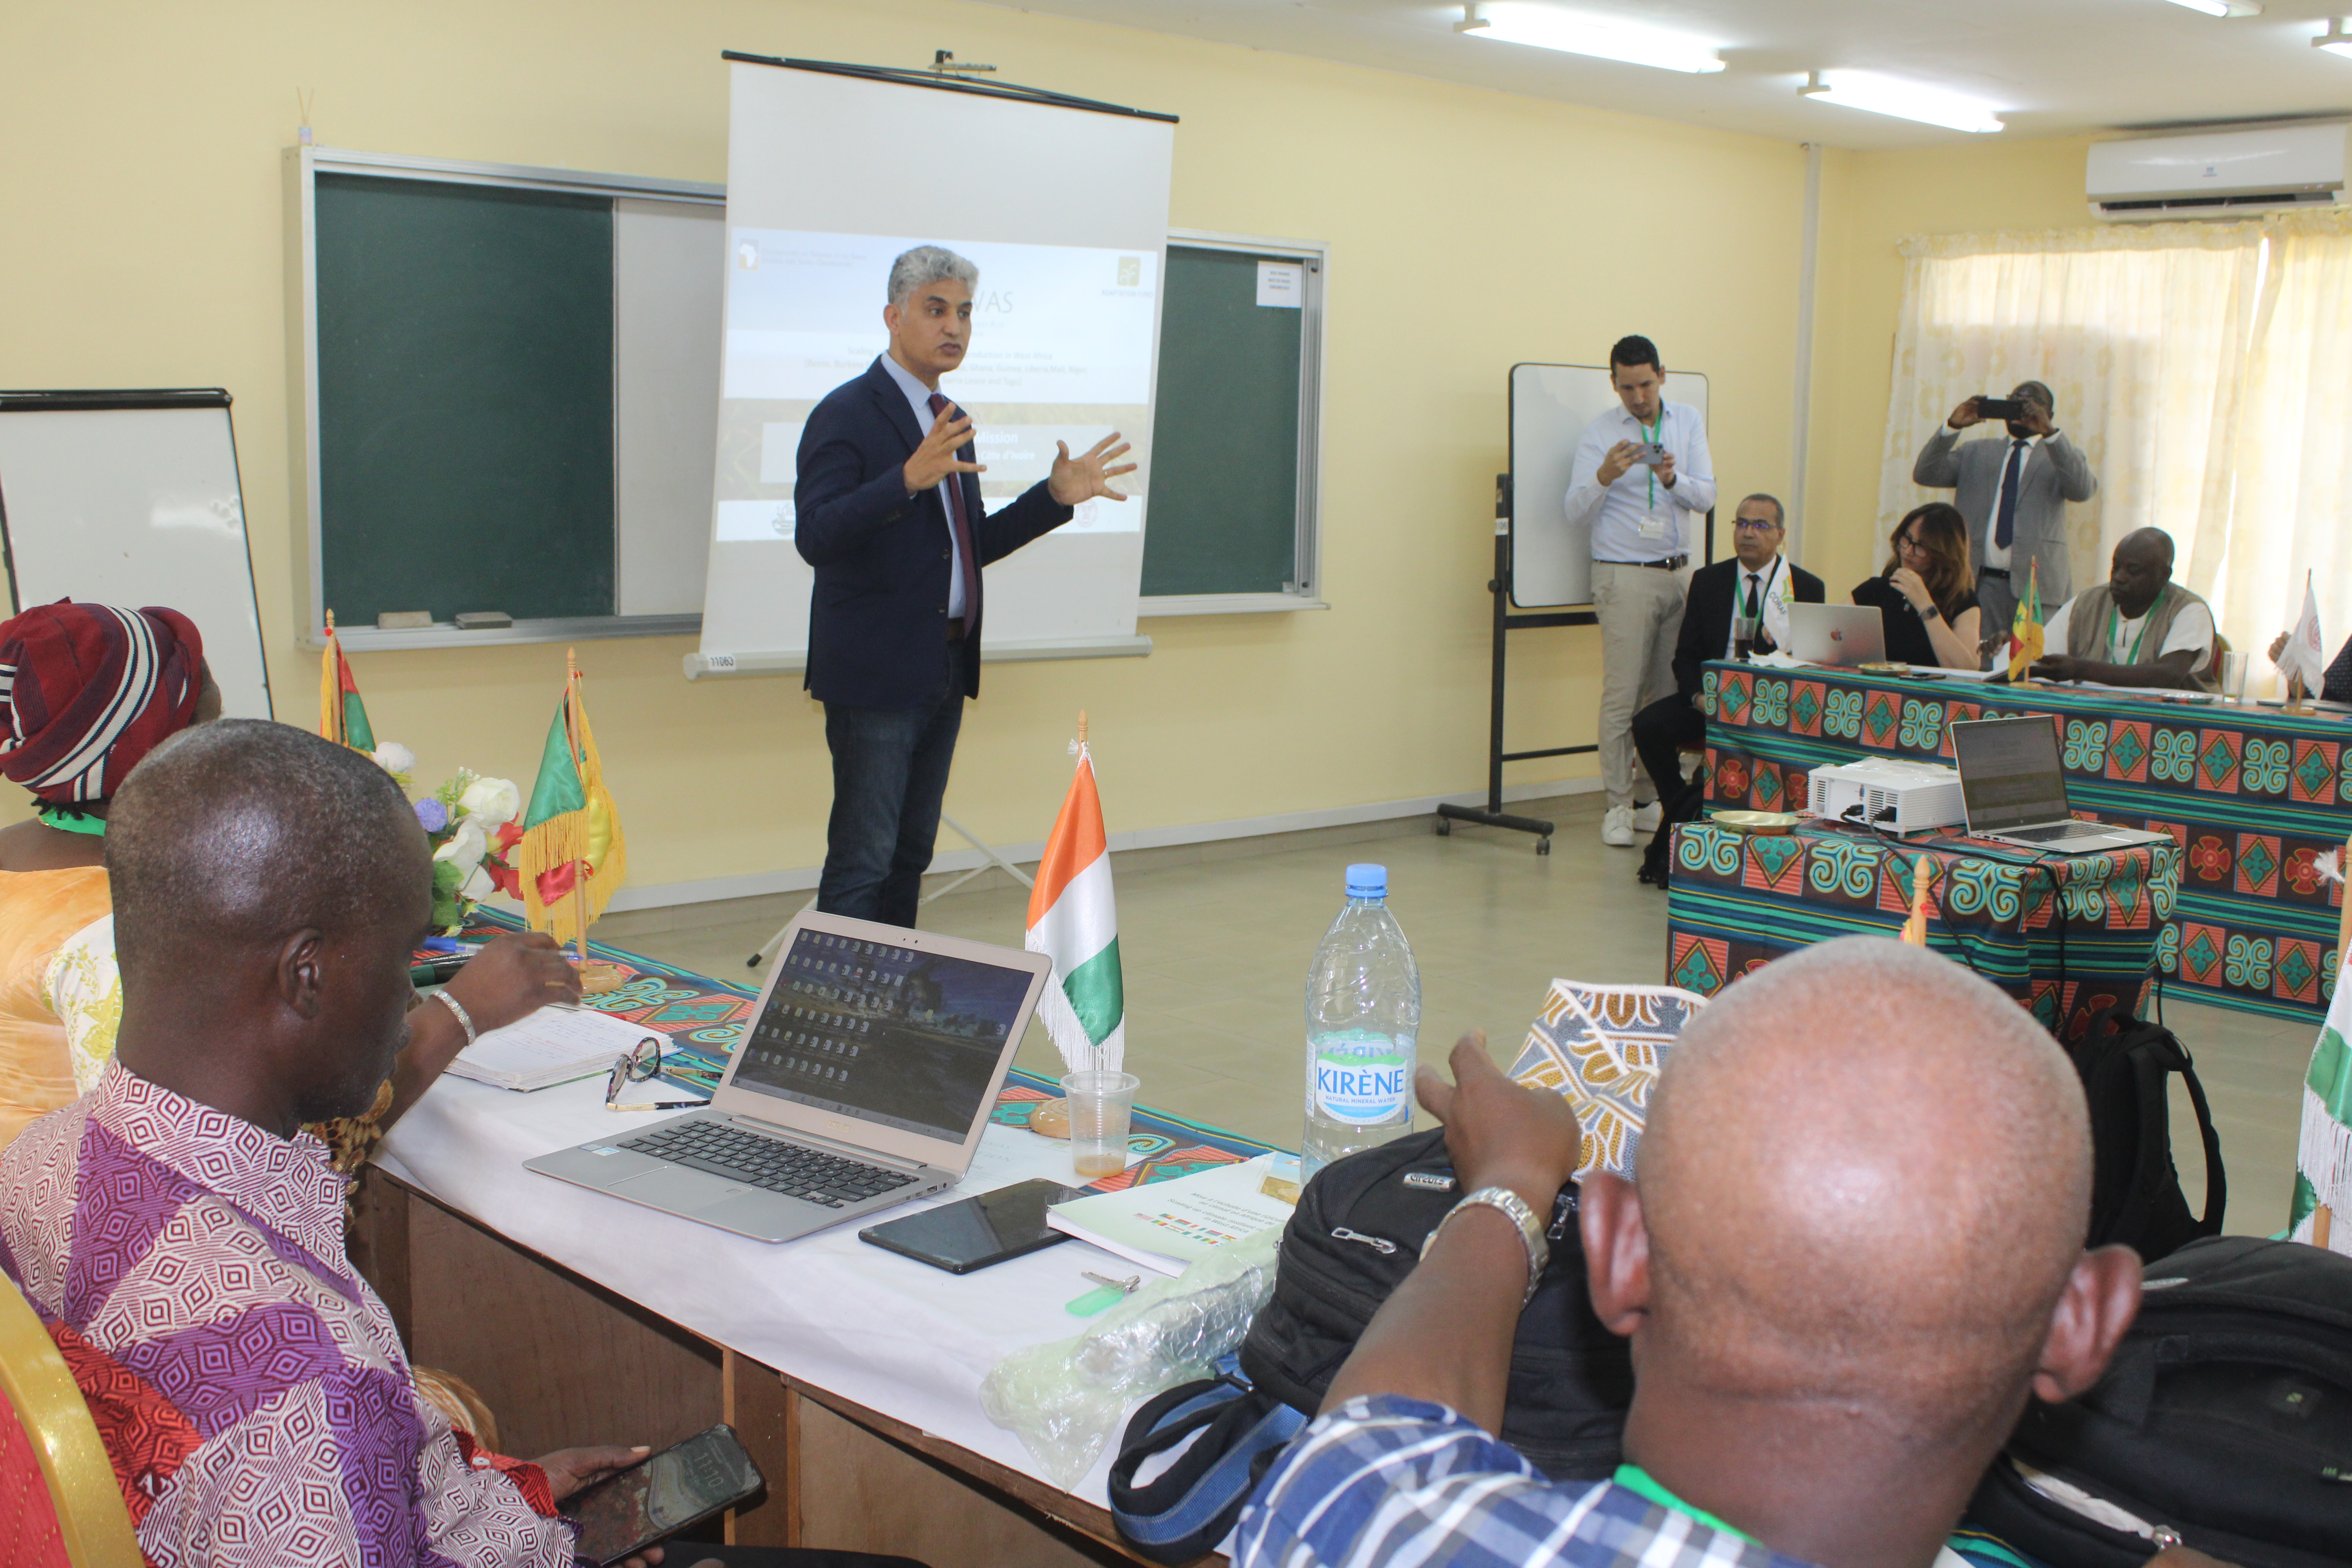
(890,775)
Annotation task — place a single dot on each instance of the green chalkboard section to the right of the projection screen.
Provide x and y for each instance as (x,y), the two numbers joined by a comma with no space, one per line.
(1224,504)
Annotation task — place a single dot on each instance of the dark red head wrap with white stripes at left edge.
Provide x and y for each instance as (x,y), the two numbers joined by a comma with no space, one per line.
(88,690)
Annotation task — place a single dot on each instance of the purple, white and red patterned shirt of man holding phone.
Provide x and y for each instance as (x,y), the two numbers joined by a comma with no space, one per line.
(248,1383)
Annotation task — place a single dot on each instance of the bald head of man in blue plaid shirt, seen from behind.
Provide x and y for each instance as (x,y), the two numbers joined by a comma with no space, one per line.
(1866,1179)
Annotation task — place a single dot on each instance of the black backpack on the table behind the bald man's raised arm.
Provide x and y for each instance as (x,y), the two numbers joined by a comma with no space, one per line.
(1358,1233)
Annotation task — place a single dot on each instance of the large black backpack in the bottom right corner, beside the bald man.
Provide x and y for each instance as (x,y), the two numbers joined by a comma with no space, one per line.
(2224,1421)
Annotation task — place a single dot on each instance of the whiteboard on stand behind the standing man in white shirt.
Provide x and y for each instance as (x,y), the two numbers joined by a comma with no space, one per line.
(1551,561)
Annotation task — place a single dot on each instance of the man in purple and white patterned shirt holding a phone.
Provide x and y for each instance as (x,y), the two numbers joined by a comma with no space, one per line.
(185,1240)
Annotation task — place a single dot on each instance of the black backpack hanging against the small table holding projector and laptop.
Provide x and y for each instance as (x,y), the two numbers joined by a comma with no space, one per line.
(2125,1068)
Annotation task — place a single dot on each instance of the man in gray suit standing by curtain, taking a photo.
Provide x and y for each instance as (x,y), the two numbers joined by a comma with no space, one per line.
(2014,497)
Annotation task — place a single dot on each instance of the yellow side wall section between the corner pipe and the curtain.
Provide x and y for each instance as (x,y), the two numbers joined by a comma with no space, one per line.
(1869,203)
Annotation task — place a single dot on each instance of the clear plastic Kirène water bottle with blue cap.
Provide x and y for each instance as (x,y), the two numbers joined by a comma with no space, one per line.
(1363,1017)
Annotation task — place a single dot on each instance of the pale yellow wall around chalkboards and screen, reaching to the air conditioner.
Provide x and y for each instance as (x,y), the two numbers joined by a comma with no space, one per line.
(1469,232)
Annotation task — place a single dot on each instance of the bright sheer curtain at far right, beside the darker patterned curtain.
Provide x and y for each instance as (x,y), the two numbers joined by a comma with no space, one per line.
(2292,445)
